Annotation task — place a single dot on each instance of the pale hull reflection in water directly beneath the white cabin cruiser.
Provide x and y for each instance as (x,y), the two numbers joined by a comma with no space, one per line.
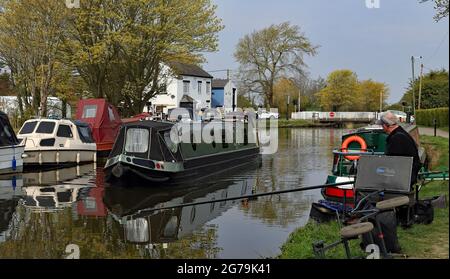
(56,176)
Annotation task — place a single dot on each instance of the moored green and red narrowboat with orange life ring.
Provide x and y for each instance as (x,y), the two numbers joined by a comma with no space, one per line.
(370,140)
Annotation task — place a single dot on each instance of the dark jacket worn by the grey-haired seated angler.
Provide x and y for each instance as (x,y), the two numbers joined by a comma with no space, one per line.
(400,143)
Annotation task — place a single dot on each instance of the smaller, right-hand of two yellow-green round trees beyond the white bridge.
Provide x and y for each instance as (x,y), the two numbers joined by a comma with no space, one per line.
(370,94)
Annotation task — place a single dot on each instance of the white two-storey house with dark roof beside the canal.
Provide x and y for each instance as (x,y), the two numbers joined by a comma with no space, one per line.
(188,86)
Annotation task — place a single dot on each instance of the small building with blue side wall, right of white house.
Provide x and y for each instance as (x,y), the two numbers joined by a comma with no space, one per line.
(224,94)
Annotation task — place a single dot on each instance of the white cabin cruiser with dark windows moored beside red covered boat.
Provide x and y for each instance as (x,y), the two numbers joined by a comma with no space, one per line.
(57,142)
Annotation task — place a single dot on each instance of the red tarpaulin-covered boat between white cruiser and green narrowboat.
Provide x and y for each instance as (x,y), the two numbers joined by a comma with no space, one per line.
(103,119)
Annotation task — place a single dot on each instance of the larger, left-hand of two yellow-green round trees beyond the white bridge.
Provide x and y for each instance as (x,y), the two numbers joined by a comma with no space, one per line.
(341,92)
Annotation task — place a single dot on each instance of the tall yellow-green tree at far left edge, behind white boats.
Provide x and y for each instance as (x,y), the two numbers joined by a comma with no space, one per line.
(31,36)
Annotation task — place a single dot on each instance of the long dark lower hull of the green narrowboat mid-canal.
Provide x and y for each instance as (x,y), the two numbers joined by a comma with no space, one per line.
(125,173)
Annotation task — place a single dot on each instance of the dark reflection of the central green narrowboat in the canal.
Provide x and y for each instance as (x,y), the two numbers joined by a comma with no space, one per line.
(133,209)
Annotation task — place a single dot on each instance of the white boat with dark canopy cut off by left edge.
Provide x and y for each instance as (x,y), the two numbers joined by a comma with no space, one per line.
(11,151)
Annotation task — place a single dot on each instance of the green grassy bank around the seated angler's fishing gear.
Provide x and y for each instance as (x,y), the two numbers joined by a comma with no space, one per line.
(420,241)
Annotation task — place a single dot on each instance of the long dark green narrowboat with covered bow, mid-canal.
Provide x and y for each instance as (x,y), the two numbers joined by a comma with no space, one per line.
(145,150)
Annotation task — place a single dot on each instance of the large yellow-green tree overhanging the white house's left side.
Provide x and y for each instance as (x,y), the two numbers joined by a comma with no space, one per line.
(118,47)
